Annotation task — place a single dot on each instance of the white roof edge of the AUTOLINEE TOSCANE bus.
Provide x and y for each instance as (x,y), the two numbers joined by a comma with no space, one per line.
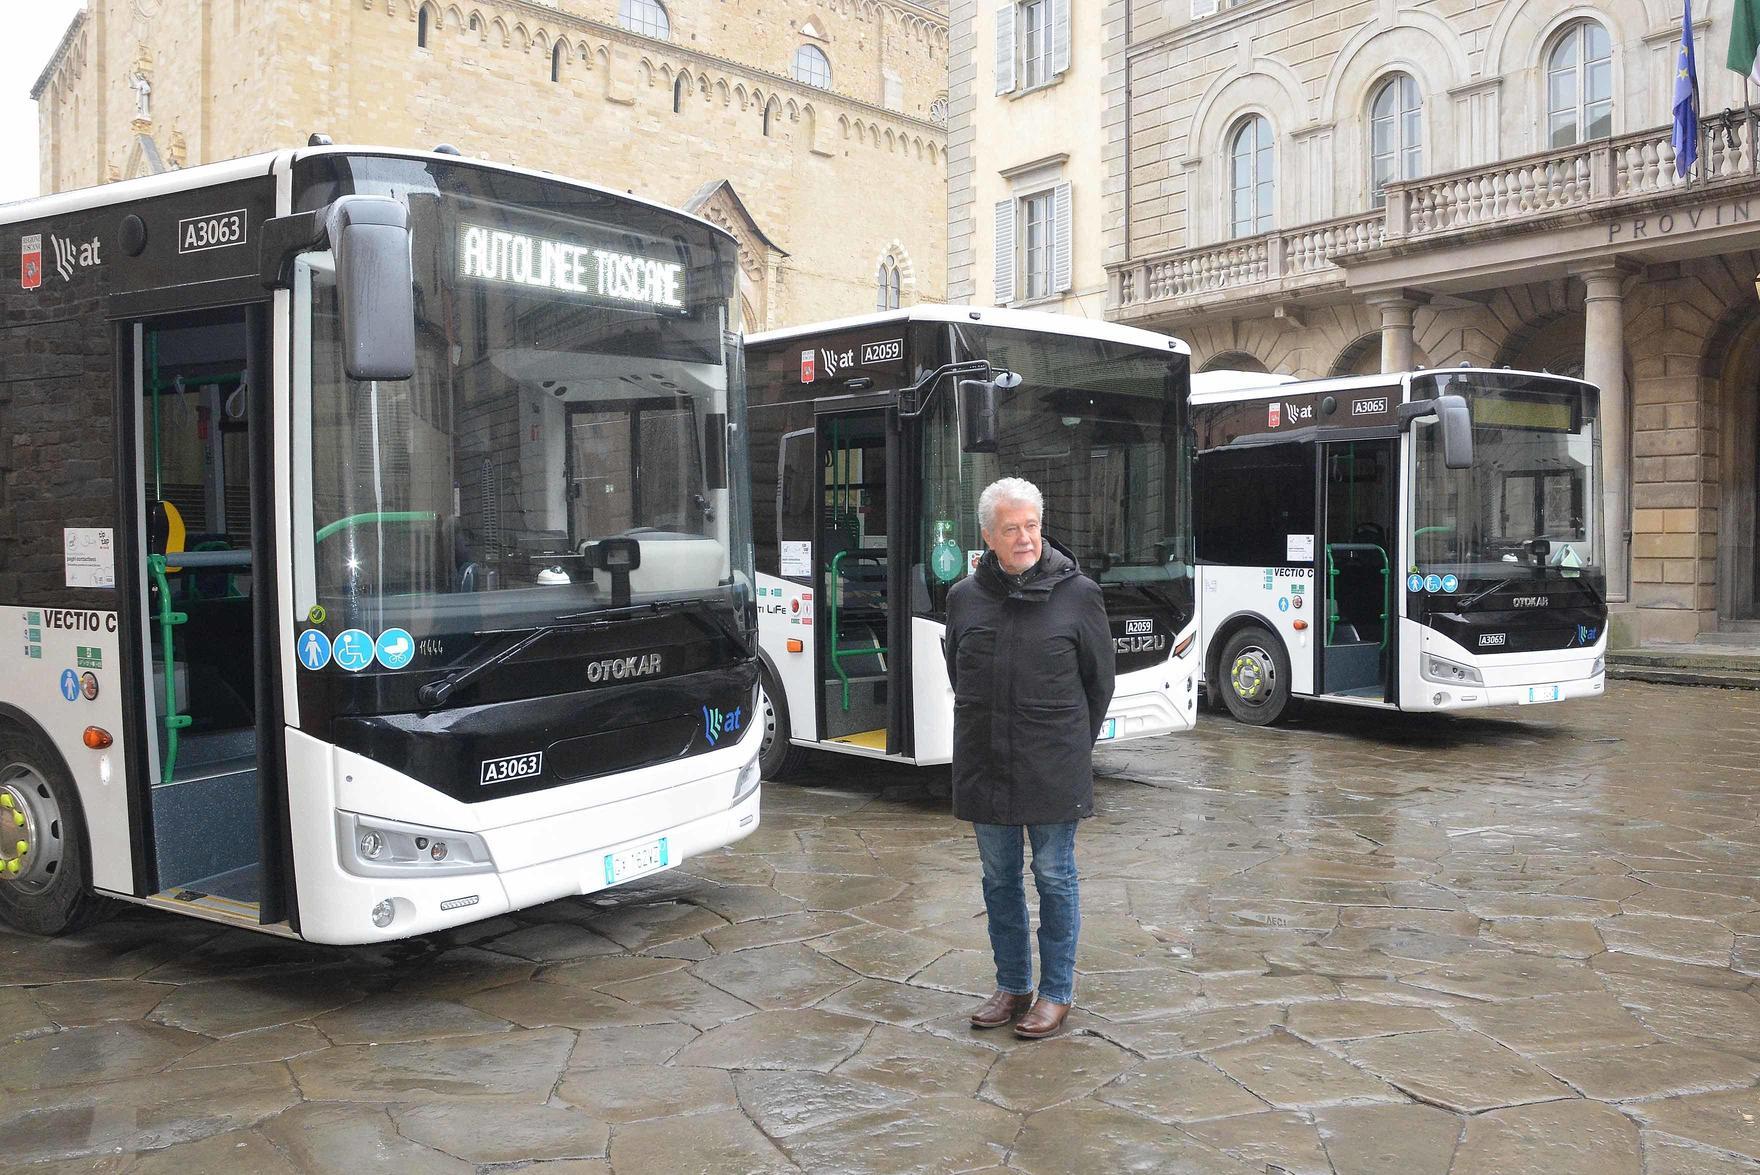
(268,164)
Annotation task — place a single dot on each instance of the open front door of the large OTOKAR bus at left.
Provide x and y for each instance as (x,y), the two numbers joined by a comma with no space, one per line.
(202,615)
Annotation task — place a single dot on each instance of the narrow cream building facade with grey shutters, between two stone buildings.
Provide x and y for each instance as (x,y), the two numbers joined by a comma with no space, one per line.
(1025,164)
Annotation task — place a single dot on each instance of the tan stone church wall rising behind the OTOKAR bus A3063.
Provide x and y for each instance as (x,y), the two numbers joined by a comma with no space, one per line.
(810,129)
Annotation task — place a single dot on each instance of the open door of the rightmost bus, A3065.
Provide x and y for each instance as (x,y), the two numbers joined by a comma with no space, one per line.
(1356,569)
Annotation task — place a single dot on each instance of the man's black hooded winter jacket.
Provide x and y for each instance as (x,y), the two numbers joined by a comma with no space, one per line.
(1032,675)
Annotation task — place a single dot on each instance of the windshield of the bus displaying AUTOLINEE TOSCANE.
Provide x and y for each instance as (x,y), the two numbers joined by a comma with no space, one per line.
(575,384)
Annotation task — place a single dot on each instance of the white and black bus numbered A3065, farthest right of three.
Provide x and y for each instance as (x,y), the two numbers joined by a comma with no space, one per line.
(1426,541)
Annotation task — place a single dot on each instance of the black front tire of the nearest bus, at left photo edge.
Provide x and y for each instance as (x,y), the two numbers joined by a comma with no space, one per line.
(48,887)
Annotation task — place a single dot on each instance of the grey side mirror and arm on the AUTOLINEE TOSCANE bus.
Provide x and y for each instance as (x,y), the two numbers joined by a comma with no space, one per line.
(376,282)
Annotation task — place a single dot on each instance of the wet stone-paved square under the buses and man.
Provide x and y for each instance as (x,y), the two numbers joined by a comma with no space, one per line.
(1363,944)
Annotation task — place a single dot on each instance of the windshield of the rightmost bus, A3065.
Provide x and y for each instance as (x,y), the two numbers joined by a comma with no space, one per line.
(1532,502)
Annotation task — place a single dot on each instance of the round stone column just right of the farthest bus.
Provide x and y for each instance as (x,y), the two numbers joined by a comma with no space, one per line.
(1604,365)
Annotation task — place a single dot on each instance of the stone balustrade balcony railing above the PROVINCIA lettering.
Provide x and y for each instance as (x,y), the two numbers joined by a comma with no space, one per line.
(1513,194)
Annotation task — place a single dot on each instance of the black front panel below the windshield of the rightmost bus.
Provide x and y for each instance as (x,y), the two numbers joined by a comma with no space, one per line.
(1537,615)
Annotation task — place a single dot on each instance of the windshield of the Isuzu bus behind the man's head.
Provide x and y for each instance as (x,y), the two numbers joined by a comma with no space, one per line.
(1099,428)
